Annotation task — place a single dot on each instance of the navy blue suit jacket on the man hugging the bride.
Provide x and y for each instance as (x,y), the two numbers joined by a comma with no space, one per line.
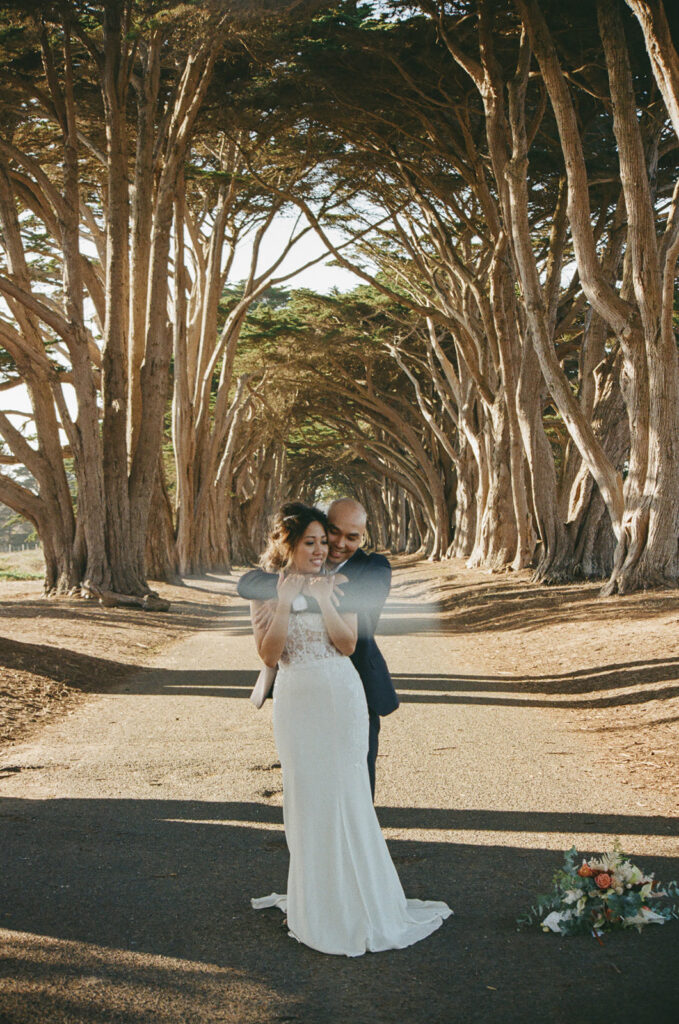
(369,581)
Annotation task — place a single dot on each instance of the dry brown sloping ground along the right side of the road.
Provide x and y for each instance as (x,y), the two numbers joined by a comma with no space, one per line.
(611,665)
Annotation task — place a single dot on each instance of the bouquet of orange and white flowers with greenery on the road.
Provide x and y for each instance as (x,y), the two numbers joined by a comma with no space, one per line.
(601,894)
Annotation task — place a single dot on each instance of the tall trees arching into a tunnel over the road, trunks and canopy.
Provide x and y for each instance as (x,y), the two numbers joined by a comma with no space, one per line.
(501,386)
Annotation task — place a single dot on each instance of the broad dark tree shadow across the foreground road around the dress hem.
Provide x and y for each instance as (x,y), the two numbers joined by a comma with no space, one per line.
(129,882)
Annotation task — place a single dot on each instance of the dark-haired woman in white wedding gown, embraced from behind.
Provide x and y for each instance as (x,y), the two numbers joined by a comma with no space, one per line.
(344,894)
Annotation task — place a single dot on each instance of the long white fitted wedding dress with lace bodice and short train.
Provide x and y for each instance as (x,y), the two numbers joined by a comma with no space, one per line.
(344,894)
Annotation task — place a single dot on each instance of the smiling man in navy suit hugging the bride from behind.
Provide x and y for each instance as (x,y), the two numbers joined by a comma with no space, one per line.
(369,579)
